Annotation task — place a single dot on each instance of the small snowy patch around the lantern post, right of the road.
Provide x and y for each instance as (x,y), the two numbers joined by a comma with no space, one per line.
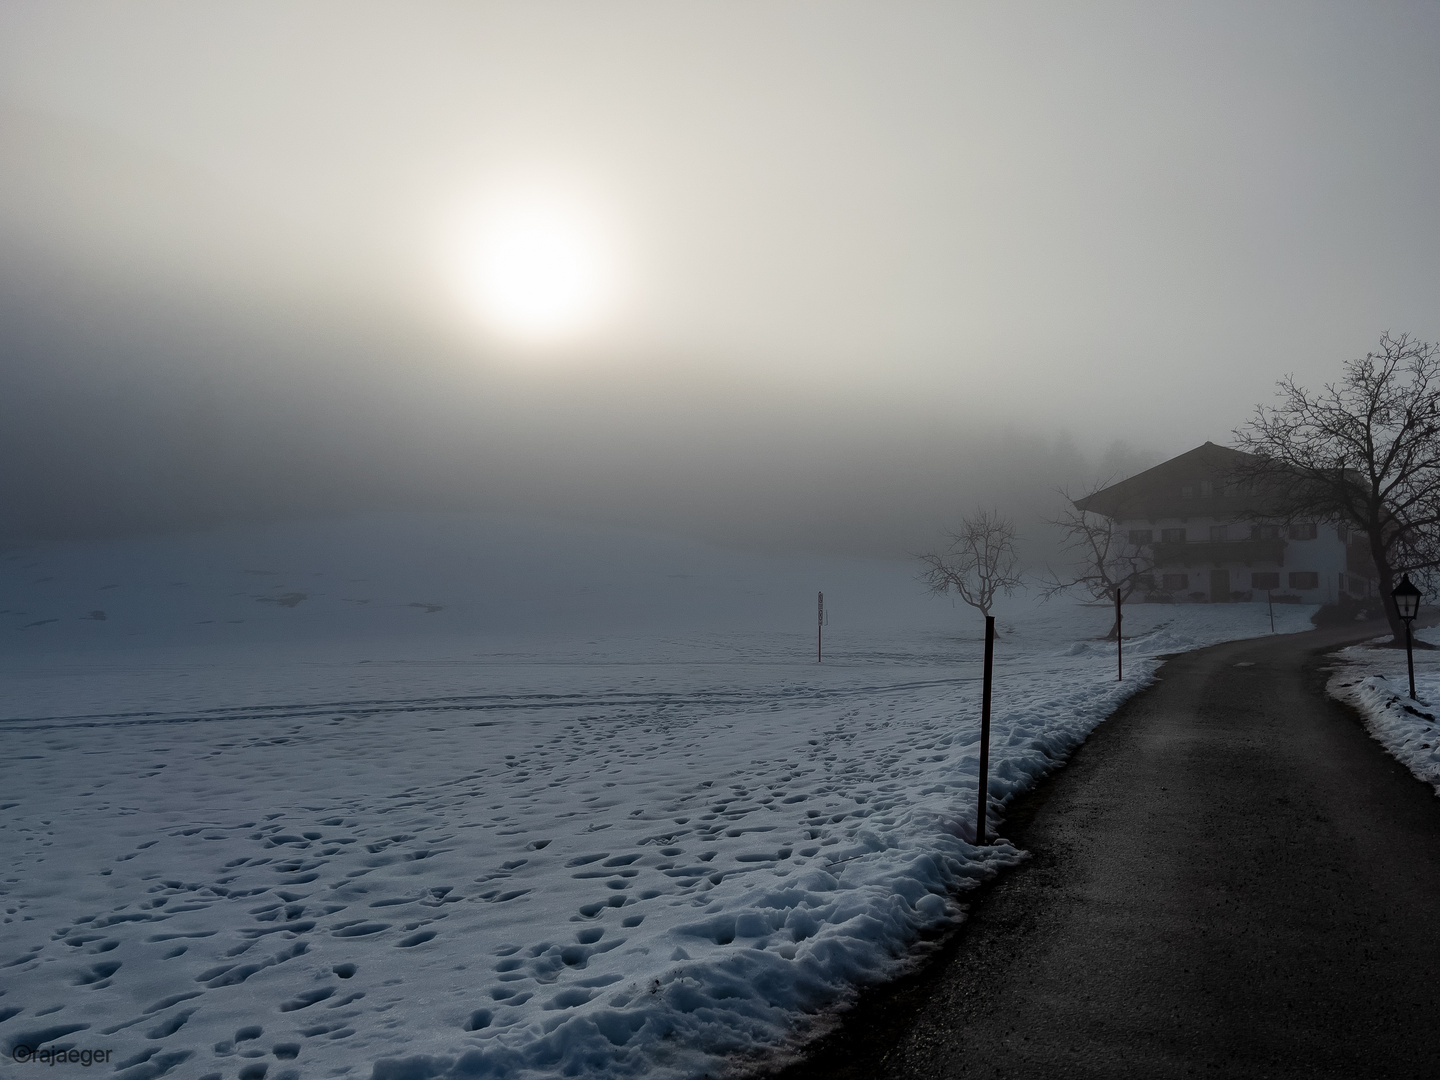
(1377,685)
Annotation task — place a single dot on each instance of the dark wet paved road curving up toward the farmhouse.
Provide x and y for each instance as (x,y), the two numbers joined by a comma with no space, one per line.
(1229,881)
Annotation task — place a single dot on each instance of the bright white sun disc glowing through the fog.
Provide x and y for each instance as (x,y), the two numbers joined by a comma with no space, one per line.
(535,267)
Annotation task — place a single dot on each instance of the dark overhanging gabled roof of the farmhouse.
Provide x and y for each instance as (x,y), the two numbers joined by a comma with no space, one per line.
(1174,489)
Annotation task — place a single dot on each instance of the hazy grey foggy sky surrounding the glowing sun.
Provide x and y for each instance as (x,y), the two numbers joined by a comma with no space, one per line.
(860,264)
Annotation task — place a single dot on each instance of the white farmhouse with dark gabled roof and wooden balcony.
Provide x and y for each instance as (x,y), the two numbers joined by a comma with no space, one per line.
(1213,539)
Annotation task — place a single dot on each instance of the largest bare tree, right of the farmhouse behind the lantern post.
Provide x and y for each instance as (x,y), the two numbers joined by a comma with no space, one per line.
(1363,451)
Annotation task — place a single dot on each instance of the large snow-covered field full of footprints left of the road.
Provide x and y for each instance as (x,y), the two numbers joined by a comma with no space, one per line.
(450,798)
